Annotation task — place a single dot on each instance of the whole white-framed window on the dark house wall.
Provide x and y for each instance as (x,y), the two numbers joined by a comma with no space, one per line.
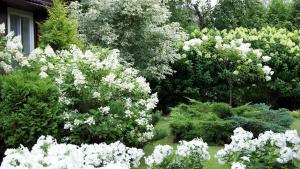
(21,23)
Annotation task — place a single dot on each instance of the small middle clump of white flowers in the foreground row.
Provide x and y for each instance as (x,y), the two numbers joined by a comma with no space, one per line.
(190,154)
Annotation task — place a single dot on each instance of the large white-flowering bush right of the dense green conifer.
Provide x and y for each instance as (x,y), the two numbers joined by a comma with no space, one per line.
(103,101)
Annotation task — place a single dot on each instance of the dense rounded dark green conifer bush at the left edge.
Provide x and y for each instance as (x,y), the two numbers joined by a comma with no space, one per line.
(29,108)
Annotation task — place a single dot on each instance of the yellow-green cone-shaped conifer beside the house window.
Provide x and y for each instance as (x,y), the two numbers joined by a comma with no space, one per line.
(59,30)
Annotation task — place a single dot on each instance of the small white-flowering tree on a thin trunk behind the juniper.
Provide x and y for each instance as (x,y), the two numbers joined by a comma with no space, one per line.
(232,61)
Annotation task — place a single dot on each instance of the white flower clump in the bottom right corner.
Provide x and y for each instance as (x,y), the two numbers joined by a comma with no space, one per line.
(269,150)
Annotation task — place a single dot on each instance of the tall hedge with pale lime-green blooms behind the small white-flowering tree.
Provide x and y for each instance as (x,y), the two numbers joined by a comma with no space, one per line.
(283,47)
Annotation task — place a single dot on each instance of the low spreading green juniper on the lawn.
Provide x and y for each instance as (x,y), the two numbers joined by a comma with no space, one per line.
(214,122)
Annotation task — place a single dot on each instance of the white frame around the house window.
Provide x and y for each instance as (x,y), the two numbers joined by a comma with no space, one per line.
(25,14)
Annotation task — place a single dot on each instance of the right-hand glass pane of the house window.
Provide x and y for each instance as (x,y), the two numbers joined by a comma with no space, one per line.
(25,36)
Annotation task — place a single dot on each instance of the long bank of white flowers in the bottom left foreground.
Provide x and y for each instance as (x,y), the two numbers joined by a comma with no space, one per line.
(48,154)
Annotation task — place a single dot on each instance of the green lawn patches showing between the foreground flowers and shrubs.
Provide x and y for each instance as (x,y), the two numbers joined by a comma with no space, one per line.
(212,163)
